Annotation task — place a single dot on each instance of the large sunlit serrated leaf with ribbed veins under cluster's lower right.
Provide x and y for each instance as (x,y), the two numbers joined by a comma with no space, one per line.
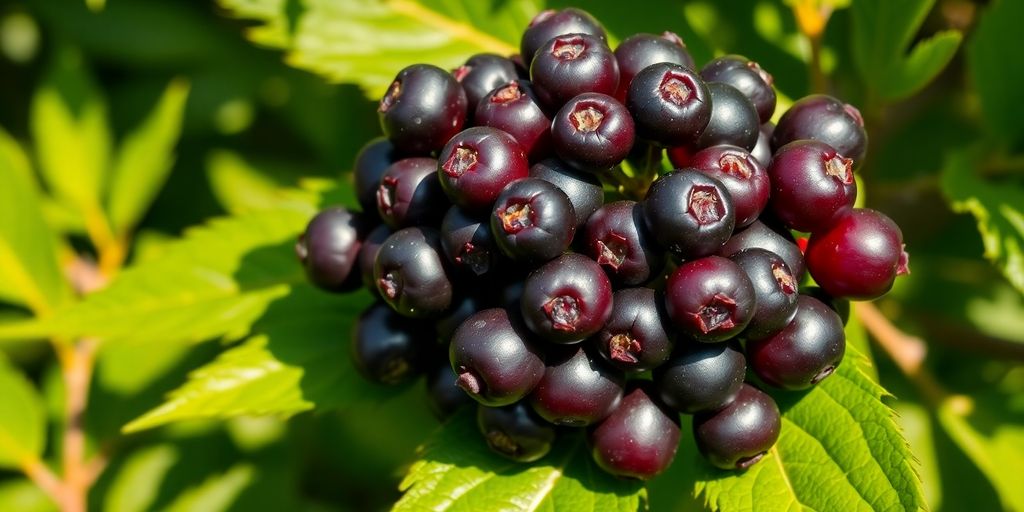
(840,449)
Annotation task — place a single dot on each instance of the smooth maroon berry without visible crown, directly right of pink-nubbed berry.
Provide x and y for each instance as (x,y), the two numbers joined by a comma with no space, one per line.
(578,390)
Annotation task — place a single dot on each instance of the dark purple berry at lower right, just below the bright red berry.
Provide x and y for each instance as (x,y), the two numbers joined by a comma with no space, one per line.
(803,354)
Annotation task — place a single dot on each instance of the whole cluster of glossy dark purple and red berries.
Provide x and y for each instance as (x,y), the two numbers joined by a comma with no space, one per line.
(532,255)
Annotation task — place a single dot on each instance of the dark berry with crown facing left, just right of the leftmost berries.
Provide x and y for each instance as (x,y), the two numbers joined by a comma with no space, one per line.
(410,273)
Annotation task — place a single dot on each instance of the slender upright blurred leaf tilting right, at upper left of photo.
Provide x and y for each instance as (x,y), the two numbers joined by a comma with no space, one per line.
(146,158)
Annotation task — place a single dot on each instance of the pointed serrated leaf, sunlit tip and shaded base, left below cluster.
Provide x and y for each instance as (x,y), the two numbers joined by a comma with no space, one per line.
(301,361)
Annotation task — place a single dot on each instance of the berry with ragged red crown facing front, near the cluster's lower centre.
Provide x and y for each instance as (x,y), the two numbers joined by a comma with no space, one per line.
(568,300)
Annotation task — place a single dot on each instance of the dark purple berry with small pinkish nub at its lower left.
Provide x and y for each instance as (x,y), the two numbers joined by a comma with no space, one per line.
(496,358)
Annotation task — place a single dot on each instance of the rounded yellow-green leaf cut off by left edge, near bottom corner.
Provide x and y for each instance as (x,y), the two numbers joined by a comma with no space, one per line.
(23,420)
